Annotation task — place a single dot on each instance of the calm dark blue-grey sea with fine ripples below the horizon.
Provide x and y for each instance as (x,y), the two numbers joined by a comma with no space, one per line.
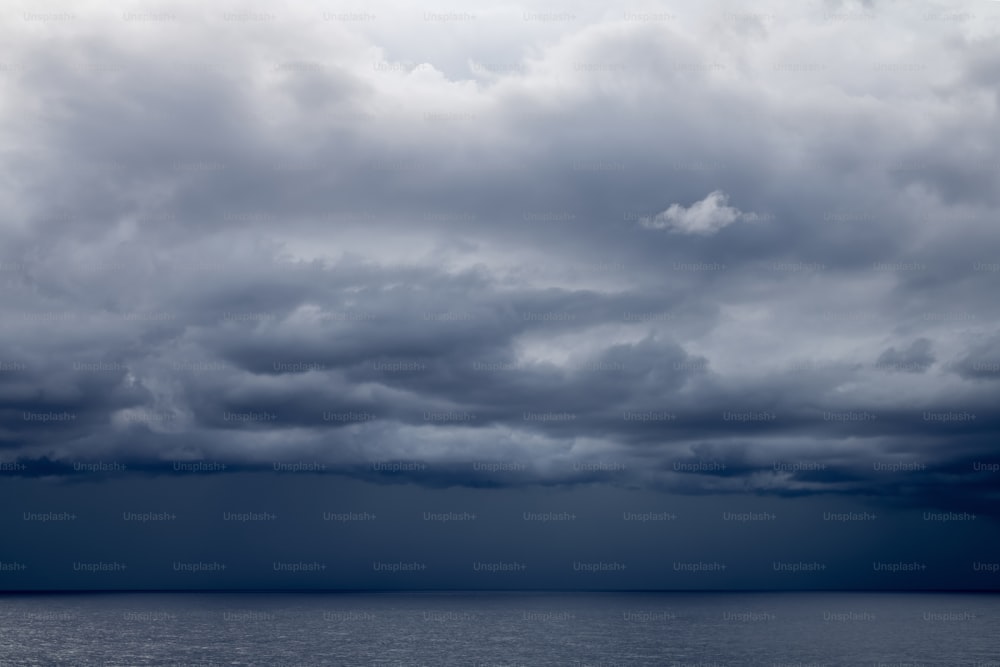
(493,629)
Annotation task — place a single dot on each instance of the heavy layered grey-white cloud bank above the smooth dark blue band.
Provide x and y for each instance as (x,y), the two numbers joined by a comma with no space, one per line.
(624,252)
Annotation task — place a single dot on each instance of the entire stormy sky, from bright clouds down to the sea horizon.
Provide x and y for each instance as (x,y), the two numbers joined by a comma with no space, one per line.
(729,269)
